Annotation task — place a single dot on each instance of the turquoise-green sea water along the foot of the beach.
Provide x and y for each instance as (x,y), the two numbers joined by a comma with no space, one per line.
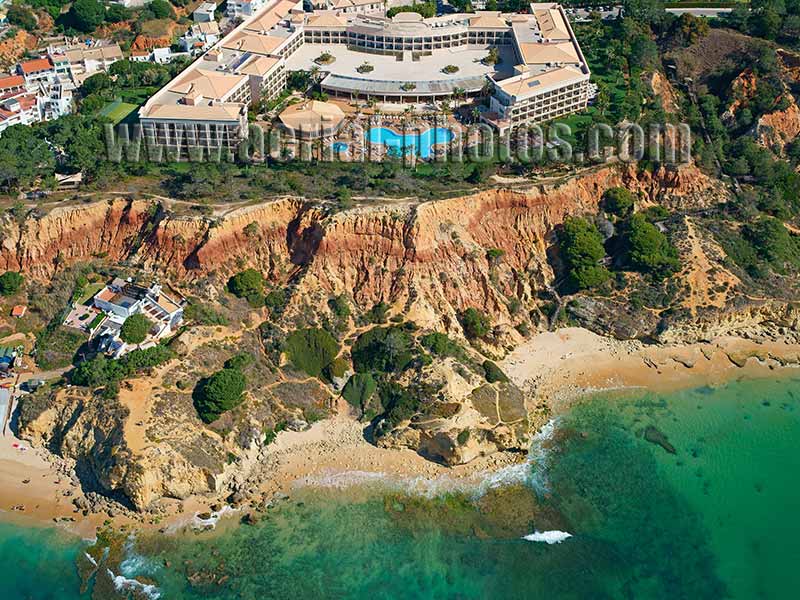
(689,495)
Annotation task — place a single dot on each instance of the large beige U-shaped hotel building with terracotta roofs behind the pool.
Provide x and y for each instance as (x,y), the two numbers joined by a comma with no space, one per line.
(541,73)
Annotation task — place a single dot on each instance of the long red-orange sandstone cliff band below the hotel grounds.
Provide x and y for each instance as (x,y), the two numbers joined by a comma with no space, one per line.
(430,256)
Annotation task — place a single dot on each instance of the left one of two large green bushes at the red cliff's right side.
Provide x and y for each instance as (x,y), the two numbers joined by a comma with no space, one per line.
(581,249)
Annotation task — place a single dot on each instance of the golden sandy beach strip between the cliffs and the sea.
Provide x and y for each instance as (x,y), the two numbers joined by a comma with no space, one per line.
(555,369)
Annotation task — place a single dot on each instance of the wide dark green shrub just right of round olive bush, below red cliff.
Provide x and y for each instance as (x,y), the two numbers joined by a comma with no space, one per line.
(384,349)
